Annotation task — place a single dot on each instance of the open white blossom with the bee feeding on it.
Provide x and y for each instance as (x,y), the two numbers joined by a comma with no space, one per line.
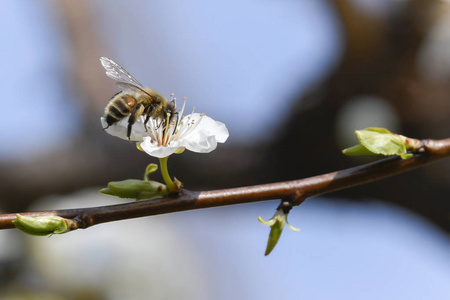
(195,132)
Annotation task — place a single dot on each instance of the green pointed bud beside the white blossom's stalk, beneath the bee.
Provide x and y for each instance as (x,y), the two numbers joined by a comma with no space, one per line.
(135,189)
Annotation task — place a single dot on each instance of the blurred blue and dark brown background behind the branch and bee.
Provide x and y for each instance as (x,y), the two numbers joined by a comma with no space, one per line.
(291,80)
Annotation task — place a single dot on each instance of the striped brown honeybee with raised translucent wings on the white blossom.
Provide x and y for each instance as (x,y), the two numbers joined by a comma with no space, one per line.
(135,100)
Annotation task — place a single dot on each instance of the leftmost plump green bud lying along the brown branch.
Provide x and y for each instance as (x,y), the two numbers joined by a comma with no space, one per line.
(43,225)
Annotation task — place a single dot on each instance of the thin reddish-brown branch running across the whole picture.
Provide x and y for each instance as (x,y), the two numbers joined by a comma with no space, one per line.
(297,191)
